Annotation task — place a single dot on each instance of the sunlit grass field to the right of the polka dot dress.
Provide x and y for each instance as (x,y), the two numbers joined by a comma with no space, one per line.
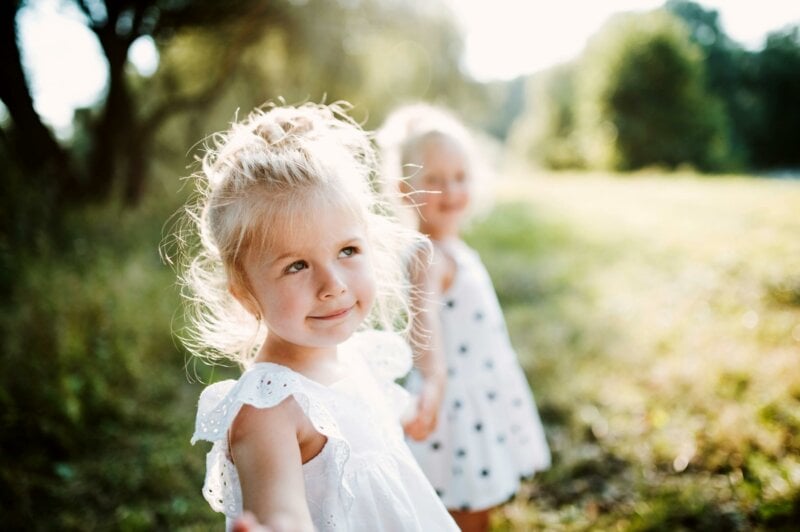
(658,319)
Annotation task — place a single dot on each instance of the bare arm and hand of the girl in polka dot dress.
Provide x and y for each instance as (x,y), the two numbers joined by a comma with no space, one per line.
(426,277)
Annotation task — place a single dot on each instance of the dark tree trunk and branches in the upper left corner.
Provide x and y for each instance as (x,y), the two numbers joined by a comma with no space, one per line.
(118,135)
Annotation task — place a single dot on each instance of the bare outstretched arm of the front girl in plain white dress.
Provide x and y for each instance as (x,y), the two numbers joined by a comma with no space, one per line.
(266,450)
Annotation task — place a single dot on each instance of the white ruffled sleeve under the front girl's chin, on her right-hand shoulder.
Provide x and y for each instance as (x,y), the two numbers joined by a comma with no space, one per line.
(388,357)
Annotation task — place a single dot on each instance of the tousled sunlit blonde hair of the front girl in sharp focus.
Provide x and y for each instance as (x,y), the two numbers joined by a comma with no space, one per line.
(262,167)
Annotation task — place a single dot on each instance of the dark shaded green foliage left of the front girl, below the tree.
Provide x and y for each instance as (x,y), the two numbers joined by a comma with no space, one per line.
(94,406)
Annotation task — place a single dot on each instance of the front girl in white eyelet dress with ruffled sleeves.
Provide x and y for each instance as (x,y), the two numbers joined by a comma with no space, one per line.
(294,256)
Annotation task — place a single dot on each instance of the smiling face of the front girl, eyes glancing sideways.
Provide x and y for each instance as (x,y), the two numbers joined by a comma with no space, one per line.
(314,282)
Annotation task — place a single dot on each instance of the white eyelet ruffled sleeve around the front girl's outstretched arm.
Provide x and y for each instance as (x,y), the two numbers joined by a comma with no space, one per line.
(264,385)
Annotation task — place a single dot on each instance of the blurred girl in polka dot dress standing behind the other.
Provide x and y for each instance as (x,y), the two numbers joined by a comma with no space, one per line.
(489,433)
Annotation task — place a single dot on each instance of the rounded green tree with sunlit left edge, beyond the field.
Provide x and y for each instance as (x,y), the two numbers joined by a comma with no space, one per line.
(642,98)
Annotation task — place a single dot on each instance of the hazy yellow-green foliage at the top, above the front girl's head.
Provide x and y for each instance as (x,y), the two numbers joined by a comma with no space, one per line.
(376,55)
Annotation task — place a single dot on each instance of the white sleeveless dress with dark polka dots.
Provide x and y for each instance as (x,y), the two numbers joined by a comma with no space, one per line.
(489,434)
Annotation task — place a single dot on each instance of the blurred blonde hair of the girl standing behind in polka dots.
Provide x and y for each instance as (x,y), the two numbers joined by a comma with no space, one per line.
(408,129)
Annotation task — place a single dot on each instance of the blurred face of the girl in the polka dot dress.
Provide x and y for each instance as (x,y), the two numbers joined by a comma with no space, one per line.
(443,182)
